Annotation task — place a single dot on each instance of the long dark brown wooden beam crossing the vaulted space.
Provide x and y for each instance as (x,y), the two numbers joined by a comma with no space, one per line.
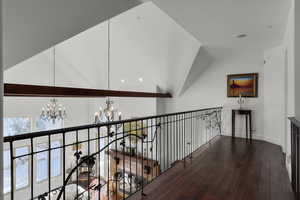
(20,90)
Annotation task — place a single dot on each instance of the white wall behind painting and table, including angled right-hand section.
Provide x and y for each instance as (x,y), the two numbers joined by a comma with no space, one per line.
(269,108)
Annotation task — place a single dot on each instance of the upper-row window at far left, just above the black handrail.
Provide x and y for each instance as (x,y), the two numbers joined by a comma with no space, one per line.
(16,125)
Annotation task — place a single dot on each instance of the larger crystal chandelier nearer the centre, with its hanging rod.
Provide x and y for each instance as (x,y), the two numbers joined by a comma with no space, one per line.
(109,113)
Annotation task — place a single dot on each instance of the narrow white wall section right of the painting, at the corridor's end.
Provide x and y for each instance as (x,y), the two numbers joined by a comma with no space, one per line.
(275,96)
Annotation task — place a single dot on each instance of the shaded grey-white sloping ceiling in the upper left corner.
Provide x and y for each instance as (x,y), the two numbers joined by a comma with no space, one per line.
(32,26)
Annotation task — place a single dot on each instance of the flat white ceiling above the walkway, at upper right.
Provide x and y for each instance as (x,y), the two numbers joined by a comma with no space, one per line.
(216,22)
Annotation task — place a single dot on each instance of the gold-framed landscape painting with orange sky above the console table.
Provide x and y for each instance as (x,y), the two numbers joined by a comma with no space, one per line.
(245,85)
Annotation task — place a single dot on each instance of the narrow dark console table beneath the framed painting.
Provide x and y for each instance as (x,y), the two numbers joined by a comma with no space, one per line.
(248,116)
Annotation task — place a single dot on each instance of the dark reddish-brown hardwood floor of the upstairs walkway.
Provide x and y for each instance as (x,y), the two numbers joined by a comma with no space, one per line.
(226,170)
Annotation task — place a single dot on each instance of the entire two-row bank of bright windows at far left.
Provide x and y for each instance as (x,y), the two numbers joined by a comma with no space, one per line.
(20,125)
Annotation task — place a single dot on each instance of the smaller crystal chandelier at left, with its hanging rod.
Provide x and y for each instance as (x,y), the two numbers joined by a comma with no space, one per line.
(53,111)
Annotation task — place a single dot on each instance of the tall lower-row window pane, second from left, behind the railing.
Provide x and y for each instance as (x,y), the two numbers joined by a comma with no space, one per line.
(22,168)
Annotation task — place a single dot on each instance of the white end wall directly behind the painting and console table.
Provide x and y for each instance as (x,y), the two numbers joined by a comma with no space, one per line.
(210,90)
